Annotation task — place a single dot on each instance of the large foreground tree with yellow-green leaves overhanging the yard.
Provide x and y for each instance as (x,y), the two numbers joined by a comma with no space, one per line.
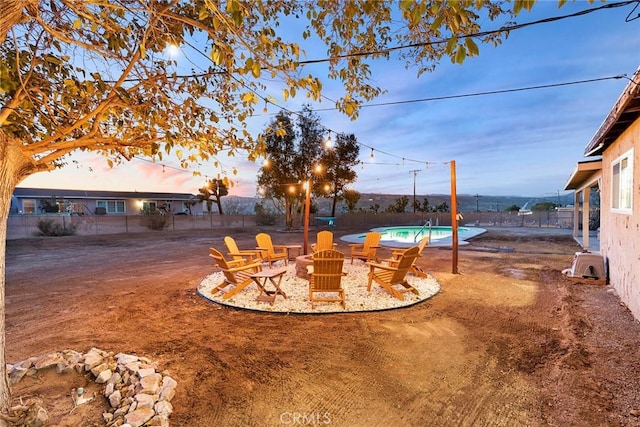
(91,75)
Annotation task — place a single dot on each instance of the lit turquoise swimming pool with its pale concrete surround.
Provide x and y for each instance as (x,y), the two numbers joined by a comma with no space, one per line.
(407,236)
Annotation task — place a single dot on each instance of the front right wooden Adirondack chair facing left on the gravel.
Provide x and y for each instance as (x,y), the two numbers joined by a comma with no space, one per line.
(392,278)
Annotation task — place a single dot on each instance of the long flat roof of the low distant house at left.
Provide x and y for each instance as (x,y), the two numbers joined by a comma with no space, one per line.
(97,194)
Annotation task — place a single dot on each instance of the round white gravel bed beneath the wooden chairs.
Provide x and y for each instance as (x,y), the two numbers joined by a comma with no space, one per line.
(297,290)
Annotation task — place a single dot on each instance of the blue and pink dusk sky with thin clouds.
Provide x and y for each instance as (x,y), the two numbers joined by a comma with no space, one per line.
(523,143)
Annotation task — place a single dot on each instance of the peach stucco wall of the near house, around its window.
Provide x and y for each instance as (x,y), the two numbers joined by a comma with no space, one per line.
(620,233)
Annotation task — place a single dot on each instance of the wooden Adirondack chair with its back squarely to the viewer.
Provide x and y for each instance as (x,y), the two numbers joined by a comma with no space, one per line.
(326,277)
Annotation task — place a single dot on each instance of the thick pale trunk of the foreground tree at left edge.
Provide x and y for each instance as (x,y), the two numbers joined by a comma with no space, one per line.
(14,167)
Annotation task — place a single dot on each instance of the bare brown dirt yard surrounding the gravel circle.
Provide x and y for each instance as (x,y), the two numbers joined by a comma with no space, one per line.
(507,342)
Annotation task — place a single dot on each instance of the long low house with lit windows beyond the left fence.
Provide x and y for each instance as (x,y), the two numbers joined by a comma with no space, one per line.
(38,201)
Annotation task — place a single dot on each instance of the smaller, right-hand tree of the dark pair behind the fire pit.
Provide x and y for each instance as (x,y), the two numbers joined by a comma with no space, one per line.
(339,161)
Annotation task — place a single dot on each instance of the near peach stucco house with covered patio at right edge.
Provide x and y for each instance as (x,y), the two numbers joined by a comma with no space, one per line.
(614,171)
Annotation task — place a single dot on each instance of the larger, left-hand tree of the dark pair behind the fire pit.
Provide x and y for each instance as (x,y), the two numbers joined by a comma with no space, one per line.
(293,152)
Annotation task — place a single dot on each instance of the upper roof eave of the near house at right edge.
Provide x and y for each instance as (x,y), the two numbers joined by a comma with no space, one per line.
(625,111)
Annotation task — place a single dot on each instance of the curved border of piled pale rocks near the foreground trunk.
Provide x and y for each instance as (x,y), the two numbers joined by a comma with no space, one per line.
(138,394)
